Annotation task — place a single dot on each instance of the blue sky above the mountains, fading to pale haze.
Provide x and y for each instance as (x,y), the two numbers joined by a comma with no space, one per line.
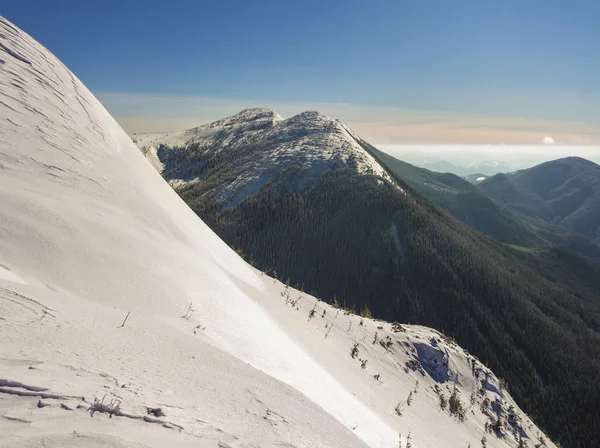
(496,59)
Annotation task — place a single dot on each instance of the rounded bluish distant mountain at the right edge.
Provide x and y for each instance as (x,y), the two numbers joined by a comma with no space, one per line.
(564,193)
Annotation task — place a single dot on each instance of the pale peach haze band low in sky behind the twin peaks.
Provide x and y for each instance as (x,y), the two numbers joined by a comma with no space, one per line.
(377,124)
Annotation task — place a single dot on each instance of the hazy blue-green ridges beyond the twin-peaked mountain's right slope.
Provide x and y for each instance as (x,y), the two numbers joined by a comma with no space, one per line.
(508,211)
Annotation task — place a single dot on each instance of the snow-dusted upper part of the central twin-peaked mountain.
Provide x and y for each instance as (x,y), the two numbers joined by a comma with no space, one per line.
(257,145)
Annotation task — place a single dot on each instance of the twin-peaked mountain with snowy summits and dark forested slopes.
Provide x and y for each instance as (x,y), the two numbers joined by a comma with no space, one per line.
(305,199)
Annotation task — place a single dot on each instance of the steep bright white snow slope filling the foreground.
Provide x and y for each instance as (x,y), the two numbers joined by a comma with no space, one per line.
(125,322)
